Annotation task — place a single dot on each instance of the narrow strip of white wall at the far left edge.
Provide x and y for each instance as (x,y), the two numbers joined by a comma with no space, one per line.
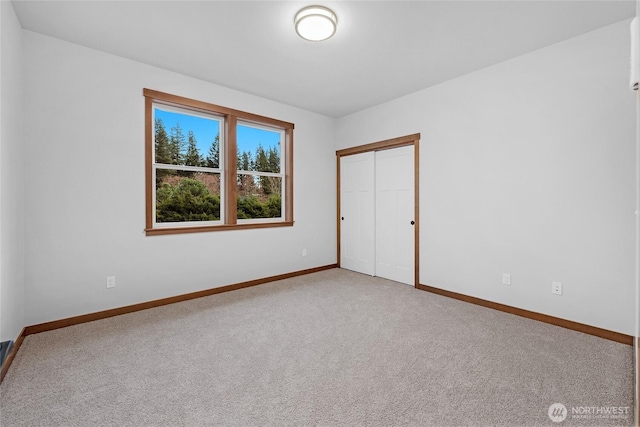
(11,177)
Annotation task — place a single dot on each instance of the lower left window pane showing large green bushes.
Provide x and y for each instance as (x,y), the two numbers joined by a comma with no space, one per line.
(183,196)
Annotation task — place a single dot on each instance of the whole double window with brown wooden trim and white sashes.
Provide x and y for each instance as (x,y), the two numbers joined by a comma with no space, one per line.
(214,168)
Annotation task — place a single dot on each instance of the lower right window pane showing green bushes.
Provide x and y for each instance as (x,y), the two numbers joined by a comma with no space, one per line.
(259,196)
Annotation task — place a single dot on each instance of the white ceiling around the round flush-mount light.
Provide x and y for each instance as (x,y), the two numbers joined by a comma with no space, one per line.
(382,49)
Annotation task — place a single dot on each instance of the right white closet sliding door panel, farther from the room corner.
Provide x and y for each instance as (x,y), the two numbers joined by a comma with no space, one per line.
(395,210)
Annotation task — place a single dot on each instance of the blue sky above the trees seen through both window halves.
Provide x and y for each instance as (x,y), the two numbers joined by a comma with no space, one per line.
(205,131)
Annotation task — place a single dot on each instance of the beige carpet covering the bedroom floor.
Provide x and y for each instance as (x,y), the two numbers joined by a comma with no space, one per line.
(333,348)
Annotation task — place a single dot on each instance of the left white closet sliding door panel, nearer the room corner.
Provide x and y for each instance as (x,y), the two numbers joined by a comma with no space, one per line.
(357,238)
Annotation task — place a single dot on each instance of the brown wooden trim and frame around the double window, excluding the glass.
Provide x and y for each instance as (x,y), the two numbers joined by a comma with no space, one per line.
(231,117)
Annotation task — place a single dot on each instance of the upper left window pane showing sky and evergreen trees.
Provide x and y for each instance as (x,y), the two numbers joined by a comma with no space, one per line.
(186,139)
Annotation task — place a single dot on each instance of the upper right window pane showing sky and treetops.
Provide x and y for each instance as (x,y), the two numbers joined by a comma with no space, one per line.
(258,149)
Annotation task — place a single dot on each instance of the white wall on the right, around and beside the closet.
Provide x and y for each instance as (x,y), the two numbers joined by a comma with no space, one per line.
(527,167)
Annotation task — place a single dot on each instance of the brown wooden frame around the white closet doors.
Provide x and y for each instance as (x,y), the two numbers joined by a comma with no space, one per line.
(386,145)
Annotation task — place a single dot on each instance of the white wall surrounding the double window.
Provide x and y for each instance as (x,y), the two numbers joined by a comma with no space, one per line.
(85,211)
